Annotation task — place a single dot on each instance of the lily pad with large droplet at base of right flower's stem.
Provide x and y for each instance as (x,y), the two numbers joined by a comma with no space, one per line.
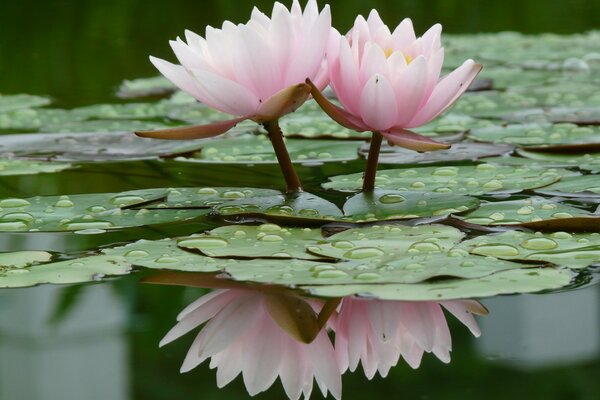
(390,204)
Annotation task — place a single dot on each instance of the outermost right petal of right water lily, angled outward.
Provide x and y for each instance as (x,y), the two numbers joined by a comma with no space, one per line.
(447,91)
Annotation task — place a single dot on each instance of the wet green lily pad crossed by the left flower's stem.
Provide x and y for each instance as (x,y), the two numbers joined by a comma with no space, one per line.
(257,149)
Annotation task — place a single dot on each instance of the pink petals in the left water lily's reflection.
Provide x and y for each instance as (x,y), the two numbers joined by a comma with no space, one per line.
(241,336)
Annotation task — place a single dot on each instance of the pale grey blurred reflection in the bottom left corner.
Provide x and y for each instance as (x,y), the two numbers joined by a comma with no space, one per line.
(82,356)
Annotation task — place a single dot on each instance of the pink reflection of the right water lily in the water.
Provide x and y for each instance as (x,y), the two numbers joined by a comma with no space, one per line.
(376,333)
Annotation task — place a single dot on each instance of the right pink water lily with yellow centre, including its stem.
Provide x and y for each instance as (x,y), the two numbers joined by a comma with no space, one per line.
(389,82)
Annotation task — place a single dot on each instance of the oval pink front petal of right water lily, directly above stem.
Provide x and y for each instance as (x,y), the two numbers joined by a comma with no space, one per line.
(378,106)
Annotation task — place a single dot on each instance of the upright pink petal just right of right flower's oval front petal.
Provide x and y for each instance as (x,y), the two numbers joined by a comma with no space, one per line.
(410,89)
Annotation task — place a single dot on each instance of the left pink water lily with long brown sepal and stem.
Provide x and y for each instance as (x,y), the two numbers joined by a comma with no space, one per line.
(253,71)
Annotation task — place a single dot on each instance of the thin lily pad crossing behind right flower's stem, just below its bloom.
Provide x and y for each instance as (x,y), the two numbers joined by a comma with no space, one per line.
(464,151)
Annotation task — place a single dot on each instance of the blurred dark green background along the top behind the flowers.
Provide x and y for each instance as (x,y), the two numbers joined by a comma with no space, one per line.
(78,51)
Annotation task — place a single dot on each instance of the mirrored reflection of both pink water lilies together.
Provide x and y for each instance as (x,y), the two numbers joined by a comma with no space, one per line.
(264,336)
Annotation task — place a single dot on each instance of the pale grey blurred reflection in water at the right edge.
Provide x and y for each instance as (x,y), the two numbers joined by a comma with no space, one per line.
(533,331)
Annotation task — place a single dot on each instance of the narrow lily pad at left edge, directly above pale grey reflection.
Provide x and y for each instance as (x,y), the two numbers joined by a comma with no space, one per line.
(80,270)
